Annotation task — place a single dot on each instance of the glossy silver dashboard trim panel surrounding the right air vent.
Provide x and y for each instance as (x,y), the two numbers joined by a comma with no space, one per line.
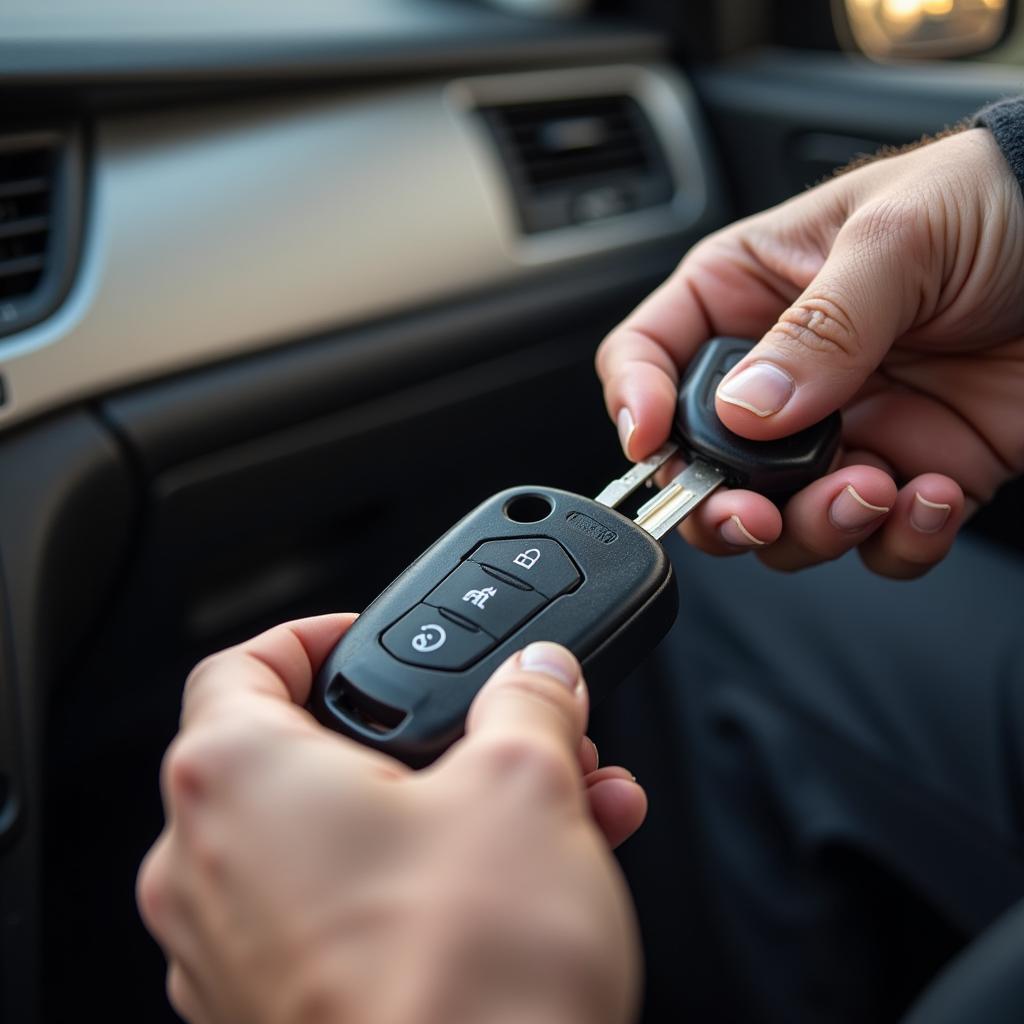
(212,233)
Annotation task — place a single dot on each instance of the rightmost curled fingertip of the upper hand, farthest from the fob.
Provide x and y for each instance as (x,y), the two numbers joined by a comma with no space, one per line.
(919,532)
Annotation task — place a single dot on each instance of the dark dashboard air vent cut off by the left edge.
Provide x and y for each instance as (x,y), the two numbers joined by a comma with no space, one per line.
(40,189)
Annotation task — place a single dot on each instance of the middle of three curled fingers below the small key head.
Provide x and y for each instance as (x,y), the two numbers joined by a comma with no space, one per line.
(831,517)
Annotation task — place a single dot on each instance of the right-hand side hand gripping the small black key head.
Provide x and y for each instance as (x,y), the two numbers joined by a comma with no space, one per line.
(897,294)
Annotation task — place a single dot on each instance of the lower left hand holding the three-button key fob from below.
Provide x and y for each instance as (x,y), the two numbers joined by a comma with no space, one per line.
(302,877)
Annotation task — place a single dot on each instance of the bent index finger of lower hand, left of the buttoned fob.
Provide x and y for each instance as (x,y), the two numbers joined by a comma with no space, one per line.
(280,664)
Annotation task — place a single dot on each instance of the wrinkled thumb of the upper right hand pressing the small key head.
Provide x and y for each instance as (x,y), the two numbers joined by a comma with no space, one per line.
(830,342)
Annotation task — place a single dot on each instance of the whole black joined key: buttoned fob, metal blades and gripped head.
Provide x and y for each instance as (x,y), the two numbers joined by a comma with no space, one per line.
(540,564)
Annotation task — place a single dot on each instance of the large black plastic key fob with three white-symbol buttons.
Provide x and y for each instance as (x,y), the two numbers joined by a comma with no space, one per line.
(579,574)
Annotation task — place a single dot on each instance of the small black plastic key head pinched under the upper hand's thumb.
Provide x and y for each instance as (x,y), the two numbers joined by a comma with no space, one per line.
(777,470)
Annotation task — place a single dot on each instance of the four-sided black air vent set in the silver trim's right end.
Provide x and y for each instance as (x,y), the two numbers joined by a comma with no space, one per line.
(579,160)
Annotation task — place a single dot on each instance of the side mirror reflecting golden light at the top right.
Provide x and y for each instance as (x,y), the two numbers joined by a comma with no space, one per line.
(887,30)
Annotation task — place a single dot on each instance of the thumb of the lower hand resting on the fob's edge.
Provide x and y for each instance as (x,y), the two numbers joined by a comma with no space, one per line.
(538,697)
